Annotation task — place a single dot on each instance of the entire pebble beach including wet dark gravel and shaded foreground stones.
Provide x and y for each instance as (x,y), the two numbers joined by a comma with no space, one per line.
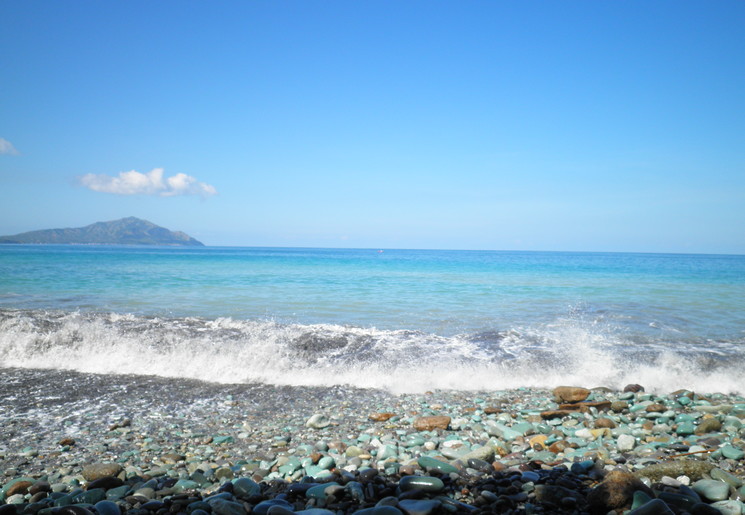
(84,444)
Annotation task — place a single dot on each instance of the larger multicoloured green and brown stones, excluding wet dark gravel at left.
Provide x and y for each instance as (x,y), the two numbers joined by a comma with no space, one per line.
(574,451)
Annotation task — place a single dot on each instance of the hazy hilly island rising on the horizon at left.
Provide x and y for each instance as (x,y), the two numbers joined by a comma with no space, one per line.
(127,231)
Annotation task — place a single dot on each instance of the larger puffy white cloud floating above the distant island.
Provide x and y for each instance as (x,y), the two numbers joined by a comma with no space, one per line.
(151,183)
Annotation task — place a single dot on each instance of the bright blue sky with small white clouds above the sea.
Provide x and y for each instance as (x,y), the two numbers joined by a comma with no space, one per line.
(557,125)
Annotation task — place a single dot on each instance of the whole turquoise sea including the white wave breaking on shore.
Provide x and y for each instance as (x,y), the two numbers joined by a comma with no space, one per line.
(405,321)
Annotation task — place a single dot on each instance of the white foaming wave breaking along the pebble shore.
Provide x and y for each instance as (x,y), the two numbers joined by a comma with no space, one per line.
(224,350)
